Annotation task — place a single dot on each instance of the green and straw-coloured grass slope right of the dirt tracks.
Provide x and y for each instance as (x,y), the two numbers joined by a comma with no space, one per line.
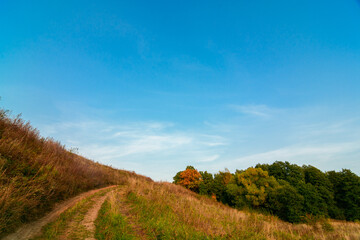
(166,211)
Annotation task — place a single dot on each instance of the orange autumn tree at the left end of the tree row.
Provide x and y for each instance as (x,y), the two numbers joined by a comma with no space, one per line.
(190,178)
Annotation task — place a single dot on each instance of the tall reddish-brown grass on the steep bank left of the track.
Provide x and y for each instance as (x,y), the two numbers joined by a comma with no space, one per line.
(37,172)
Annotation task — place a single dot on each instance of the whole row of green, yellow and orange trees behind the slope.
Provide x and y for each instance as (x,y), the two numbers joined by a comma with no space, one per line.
(292,192)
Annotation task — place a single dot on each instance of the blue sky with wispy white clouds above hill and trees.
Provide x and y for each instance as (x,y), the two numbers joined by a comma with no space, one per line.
(154,86)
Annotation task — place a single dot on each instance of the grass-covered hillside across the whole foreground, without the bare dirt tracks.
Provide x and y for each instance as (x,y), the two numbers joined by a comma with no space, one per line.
(36,173)
